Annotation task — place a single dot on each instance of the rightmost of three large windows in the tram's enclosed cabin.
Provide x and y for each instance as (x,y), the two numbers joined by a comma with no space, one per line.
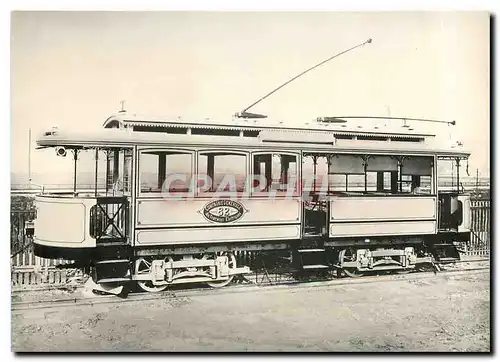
(277,171)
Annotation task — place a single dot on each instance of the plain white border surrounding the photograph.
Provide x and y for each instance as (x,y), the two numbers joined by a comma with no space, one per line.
(294,5)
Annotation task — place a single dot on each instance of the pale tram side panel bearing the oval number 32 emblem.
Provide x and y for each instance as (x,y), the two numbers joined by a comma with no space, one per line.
(205,221)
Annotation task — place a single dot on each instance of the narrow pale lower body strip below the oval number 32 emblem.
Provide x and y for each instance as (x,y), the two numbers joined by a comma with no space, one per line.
(216,234)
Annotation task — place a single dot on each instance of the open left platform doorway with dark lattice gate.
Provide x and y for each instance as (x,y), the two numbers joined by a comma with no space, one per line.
(111,213)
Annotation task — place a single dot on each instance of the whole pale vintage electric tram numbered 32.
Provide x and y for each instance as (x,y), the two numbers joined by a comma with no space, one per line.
(181,198)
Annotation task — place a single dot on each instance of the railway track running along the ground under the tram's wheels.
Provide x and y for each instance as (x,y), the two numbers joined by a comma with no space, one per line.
(246,286)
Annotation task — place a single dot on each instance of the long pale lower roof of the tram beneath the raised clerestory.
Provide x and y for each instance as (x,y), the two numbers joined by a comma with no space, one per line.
(282,140)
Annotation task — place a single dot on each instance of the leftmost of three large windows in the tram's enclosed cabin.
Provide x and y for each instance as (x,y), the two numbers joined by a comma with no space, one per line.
(158,171)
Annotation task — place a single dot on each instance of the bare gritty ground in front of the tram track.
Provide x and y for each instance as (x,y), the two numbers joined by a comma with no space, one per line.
(442,313)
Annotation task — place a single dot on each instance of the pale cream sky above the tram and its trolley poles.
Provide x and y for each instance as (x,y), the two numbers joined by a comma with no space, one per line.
(72,69)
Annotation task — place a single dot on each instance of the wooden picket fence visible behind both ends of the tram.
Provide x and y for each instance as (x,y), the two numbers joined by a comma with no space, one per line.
(28,270)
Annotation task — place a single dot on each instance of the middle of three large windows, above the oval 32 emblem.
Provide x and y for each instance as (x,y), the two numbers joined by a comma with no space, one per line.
(227,171)
